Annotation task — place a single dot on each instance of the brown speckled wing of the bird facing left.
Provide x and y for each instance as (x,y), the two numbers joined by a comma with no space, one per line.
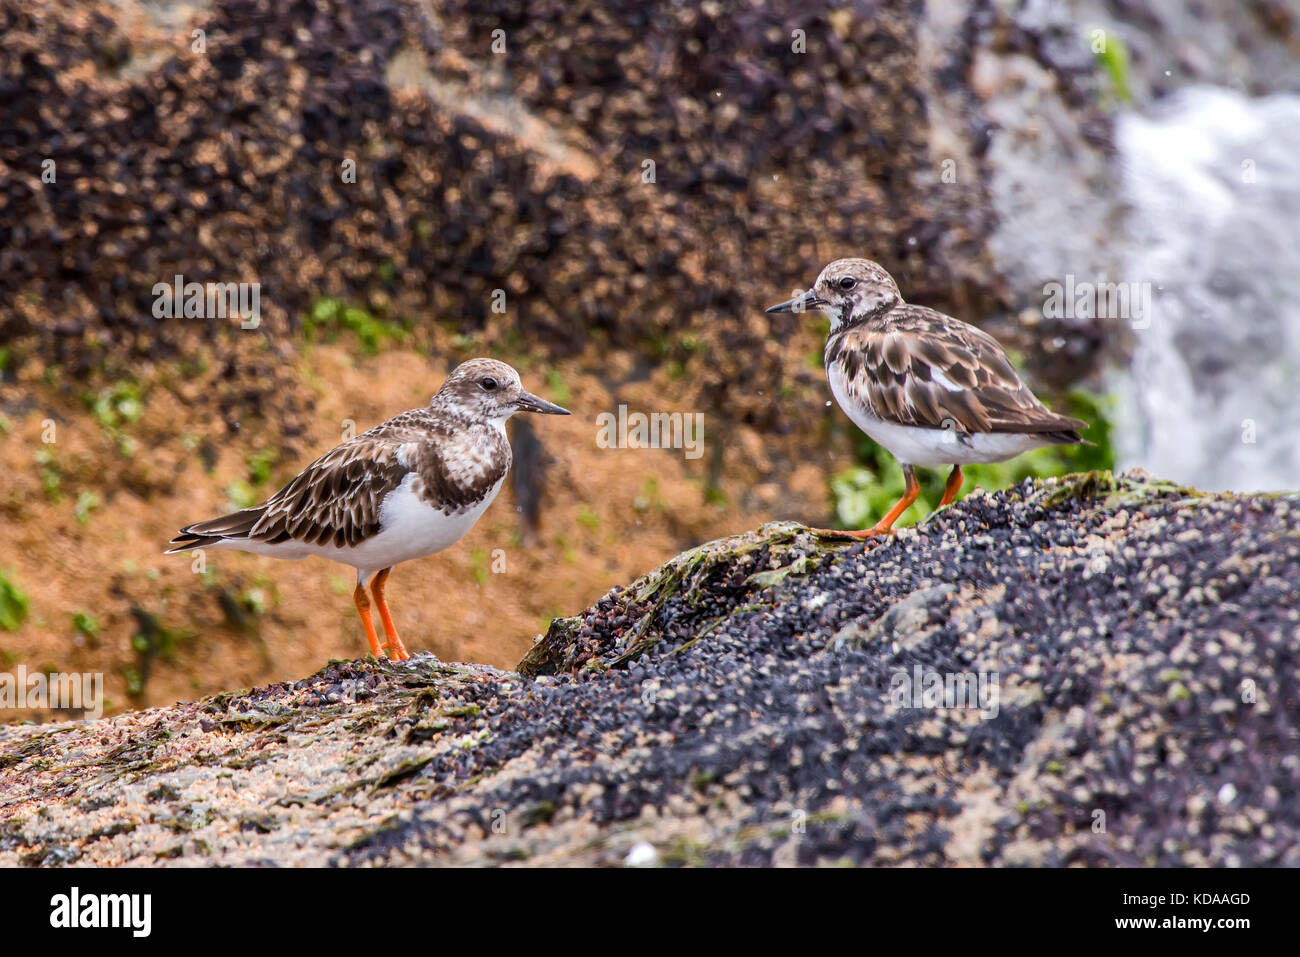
(922,369)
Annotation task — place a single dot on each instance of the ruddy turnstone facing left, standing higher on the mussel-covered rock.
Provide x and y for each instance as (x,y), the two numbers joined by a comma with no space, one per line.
(929,388)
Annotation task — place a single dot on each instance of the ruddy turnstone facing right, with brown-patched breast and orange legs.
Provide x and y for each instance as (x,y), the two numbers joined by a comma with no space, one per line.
(405,490)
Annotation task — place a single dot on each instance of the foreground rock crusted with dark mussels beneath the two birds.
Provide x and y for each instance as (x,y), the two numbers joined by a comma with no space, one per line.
(742,705)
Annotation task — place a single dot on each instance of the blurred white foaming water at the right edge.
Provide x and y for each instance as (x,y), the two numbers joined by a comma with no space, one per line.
(1221,358)
